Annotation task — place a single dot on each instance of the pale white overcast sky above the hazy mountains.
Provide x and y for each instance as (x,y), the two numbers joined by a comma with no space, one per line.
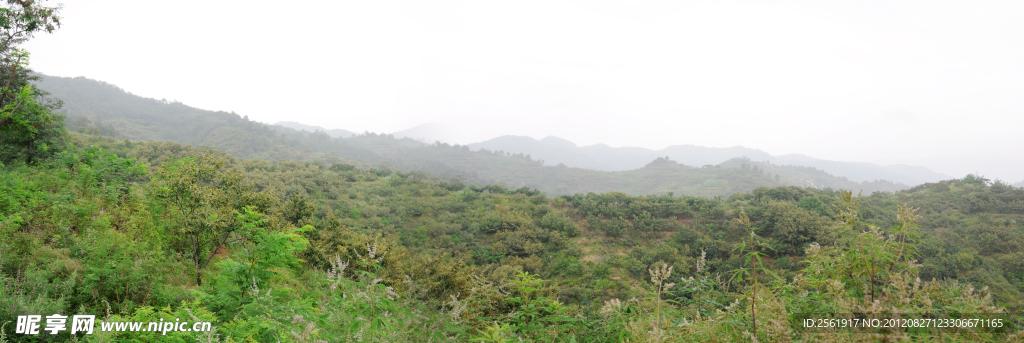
(933,83)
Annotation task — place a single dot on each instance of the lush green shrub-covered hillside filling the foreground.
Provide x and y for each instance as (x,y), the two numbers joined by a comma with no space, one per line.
(303,252)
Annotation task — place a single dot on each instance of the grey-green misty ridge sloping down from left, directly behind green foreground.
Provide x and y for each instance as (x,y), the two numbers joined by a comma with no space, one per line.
(98,108)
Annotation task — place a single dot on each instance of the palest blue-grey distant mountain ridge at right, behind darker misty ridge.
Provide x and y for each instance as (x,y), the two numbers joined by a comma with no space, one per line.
(554,151)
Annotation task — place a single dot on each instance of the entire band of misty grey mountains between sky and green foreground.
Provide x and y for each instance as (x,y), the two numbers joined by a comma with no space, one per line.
(552,165)
